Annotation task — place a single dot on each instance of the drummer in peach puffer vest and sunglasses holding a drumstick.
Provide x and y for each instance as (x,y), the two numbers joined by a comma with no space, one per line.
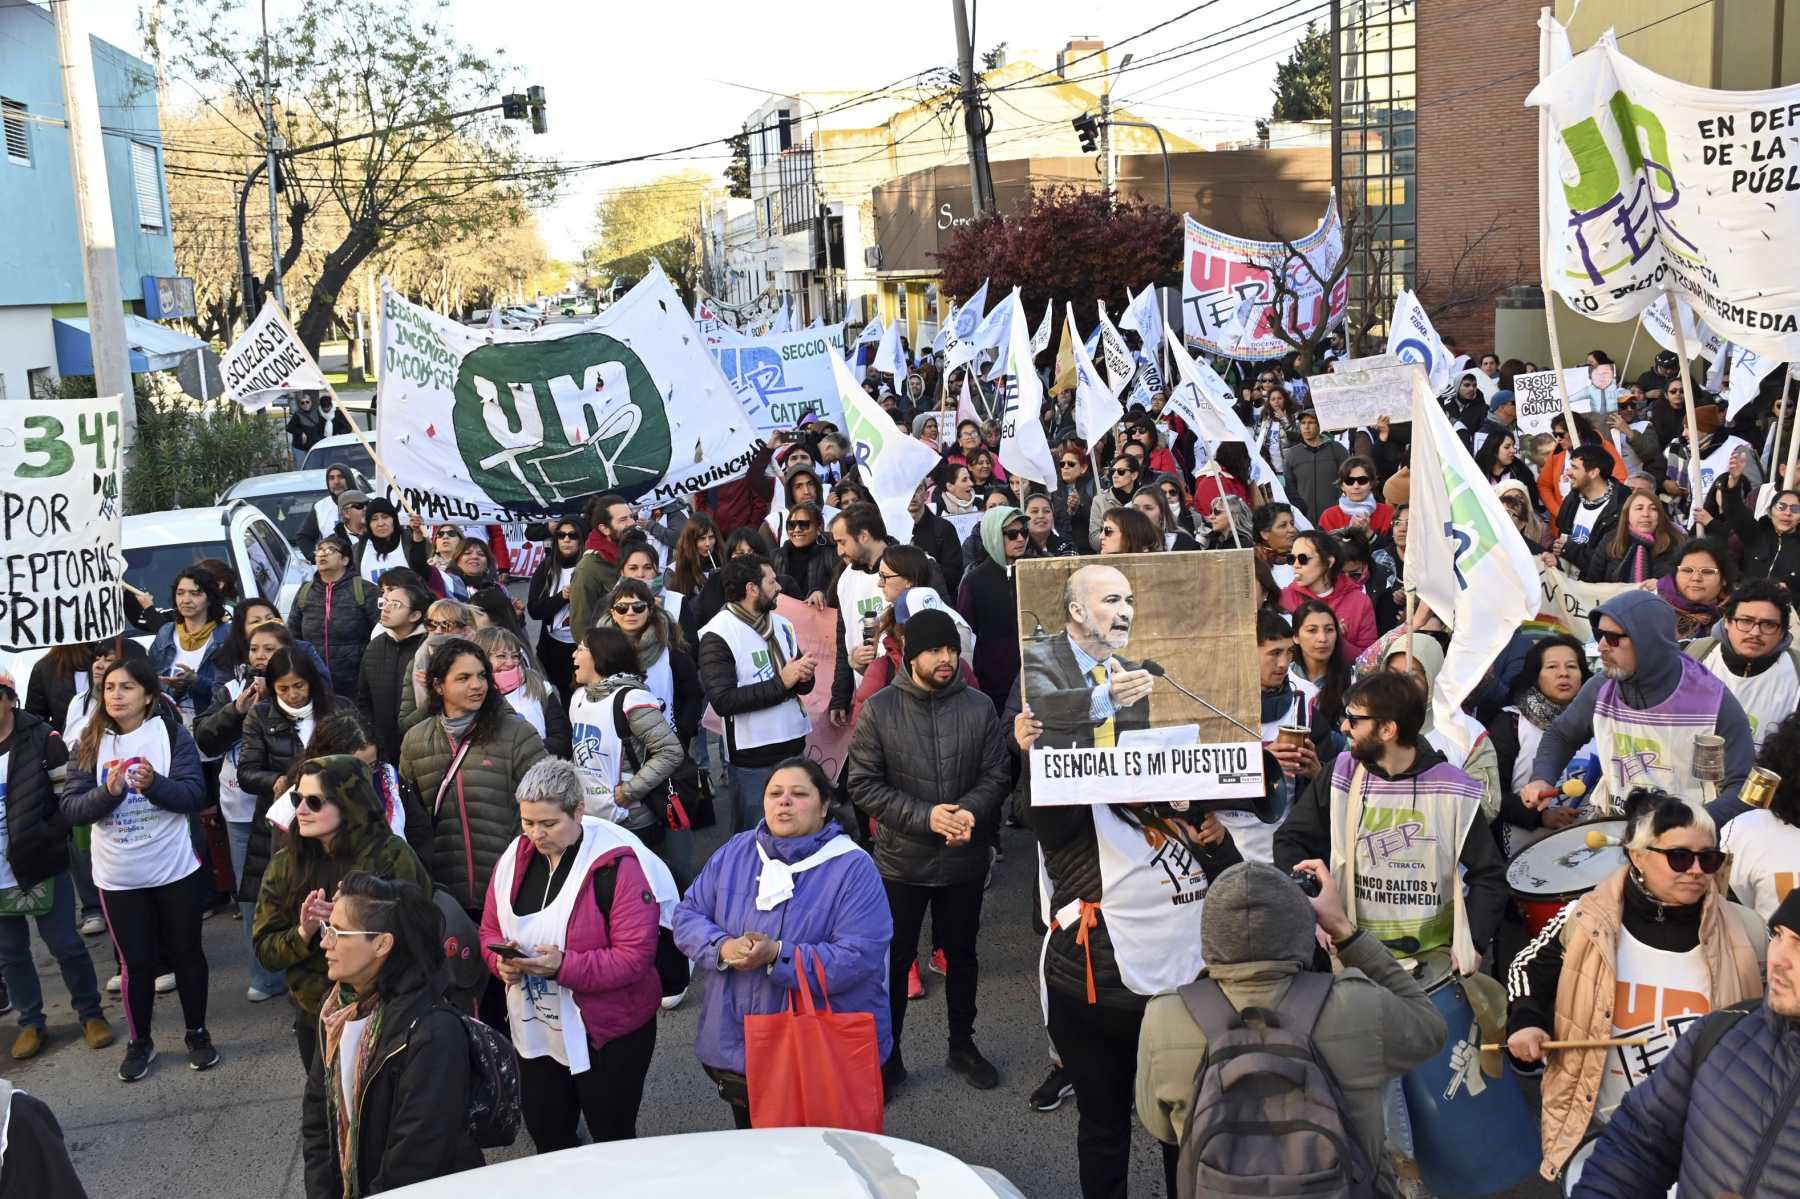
(1680,951)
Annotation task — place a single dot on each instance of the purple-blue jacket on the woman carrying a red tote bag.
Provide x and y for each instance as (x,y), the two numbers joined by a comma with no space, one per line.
(838,915)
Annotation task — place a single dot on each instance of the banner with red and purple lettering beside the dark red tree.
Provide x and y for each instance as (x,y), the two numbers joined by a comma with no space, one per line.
(1225,276)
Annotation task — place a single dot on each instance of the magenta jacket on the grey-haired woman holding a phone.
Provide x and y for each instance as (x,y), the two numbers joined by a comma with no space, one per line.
(609,969)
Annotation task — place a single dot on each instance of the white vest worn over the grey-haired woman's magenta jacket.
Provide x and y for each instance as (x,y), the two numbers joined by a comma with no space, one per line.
(544,1016)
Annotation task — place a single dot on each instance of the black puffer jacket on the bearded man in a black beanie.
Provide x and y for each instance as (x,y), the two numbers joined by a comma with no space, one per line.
(915,750)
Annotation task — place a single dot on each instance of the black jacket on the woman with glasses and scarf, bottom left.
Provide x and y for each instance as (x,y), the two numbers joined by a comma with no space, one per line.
(413,1103)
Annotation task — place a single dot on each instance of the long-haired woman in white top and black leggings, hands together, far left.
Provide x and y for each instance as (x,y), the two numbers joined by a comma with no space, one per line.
(136,777)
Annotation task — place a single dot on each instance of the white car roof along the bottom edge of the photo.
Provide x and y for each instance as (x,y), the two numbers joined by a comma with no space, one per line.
(753,1164)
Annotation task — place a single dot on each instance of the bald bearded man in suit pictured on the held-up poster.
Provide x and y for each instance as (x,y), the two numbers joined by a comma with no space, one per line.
(1077,683)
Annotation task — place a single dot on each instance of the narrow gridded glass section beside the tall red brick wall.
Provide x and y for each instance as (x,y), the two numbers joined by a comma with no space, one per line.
(1376,141)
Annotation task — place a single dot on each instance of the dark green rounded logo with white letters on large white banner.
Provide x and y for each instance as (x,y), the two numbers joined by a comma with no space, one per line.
(543,424)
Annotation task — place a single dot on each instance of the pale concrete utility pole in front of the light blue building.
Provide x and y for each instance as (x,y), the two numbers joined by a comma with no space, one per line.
(100,253)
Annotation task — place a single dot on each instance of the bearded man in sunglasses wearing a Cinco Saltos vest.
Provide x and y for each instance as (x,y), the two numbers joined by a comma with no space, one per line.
(1396,822)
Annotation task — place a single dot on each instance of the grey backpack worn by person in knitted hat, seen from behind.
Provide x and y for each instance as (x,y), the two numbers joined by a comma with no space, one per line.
(1266,1115)
